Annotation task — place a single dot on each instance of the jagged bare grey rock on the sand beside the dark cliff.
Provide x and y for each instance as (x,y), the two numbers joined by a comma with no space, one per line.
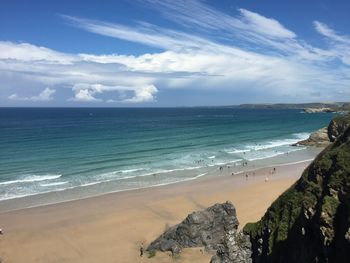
(214,228)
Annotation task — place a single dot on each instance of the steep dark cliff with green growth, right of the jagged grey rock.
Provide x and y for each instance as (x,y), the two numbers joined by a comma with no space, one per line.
(310,222)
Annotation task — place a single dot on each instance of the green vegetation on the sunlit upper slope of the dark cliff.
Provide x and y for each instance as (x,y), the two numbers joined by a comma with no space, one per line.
(316,189)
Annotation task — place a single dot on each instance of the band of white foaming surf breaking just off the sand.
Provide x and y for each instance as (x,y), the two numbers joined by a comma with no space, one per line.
(253,152)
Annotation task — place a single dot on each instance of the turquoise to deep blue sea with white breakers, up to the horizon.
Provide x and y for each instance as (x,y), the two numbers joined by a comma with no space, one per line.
(49,155)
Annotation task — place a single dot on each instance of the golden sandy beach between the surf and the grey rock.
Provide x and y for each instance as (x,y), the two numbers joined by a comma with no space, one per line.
(110,228)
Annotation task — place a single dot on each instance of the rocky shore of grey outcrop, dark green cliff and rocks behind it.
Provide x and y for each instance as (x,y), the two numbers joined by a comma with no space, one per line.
(310,222)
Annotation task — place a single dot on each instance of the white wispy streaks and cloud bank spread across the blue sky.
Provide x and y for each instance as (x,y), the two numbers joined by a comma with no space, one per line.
(252,53)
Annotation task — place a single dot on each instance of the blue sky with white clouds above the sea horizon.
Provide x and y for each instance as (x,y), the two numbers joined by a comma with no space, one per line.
(164,53)
